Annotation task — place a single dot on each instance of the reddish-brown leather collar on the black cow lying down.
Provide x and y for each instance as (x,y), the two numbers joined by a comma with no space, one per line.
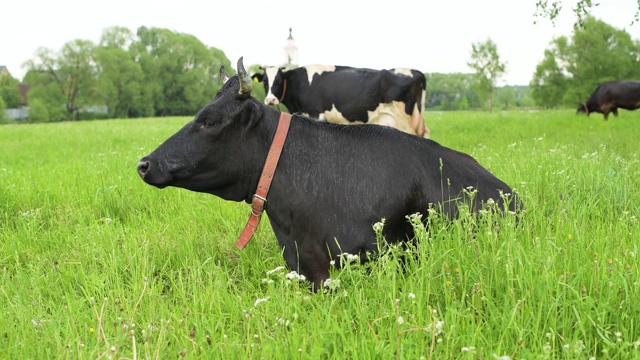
(260,197)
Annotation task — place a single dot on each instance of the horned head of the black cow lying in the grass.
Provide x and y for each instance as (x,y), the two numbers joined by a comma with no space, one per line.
(206,155)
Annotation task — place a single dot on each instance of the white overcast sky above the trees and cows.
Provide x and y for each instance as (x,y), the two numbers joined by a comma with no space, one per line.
(431,36)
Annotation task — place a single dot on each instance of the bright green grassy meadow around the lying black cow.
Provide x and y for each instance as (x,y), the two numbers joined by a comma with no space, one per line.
(95,264)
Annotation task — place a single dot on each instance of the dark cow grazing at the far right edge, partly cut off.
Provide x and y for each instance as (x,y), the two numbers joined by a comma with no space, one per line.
(610,96)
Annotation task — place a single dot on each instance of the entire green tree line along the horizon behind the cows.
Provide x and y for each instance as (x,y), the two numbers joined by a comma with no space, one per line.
(158,72)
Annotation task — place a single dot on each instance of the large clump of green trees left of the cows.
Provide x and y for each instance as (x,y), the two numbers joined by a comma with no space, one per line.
(154,72)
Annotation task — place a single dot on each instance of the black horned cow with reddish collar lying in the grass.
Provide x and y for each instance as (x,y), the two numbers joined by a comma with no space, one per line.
(332,182)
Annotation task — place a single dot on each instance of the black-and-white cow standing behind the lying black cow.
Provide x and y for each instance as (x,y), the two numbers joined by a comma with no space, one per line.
(347,95)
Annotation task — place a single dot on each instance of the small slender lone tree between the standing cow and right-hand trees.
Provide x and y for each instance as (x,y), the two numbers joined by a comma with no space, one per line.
(485,61)
